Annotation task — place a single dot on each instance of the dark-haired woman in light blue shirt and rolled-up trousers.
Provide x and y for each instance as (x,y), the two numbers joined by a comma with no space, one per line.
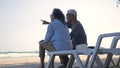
(57,37)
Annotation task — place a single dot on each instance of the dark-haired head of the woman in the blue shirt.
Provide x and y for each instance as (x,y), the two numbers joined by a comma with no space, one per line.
(58,14)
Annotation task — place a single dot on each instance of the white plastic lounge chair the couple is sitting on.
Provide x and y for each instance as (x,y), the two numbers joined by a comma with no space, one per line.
(75,53)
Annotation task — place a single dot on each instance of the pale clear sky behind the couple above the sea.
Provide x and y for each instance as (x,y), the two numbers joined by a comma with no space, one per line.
(21,28)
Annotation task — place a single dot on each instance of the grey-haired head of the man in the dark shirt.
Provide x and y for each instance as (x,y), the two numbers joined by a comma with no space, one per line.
(71,15)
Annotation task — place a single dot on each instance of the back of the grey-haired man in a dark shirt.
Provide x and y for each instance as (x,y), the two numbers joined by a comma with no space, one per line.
(78,34)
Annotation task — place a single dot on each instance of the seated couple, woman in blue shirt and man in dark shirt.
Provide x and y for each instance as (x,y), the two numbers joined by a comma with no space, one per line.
(58,38)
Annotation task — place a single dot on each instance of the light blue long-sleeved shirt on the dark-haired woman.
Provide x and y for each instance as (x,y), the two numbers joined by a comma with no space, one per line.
(58,33)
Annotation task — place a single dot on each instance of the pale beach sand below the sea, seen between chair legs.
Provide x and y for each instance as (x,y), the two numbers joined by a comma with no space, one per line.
(33,62)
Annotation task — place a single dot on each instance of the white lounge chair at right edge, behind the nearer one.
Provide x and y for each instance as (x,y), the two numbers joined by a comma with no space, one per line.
(110,52)
